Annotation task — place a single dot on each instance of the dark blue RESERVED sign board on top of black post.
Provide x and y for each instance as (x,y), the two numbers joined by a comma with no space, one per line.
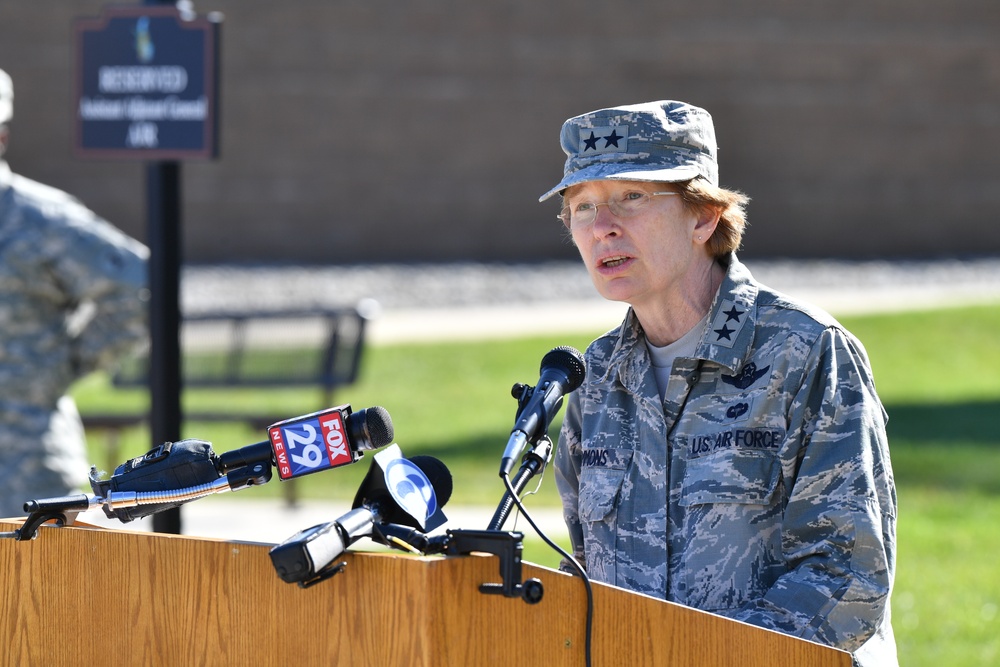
(146,84)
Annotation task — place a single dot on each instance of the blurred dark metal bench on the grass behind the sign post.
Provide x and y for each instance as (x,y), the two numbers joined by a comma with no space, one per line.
(257,349)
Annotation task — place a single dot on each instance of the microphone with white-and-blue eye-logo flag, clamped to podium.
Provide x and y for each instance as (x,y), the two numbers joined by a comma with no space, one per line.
(399,491)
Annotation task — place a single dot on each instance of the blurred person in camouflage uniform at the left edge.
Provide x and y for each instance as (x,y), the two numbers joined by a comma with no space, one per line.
(72,300)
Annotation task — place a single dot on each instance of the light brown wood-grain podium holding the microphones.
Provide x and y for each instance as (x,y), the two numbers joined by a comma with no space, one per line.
(83,595)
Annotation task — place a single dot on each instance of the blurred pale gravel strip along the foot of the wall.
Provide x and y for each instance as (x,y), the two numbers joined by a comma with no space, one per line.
(236,288)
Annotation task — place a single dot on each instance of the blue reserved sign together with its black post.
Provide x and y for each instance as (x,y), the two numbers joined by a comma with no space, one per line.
(146,89)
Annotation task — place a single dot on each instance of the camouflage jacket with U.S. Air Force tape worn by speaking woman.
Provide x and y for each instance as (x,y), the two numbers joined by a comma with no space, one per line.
(760,488)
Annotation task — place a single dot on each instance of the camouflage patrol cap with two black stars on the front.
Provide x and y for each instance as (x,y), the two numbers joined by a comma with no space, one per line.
(663,141)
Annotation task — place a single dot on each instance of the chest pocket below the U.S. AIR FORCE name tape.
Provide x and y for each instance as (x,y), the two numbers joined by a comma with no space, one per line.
(747,478)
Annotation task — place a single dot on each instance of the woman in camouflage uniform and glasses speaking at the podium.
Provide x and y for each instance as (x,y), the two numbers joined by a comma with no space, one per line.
(727,450)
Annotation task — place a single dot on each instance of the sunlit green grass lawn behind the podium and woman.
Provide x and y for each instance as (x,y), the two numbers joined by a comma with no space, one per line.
(938,374)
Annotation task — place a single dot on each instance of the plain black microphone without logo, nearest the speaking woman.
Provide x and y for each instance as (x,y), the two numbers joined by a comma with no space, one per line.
(562,371)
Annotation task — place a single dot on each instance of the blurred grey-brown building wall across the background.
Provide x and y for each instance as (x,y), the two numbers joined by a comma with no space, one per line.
(386,130)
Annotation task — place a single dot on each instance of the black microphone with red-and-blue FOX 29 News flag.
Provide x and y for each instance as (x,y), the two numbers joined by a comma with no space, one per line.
(314,442)
